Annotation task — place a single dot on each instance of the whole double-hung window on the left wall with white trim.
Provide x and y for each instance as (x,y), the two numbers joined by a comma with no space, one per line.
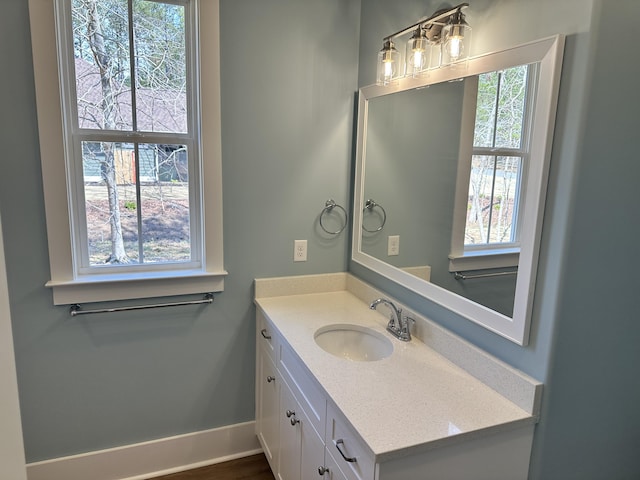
(139,188)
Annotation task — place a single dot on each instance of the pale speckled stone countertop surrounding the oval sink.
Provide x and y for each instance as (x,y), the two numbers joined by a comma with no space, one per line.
(413,400)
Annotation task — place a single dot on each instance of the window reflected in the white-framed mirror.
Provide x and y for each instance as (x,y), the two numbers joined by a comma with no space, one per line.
(498,163)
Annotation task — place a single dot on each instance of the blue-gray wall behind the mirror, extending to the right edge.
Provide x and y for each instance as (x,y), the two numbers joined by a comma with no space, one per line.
(585,330)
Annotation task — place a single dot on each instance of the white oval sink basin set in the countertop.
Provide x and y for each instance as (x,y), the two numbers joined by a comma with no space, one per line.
(353,342)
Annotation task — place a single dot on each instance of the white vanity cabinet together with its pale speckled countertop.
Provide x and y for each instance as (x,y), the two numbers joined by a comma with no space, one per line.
(306,435)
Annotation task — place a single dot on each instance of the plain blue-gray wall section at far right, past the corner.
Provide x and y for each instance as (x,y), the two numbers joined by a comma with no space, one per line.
(591,427)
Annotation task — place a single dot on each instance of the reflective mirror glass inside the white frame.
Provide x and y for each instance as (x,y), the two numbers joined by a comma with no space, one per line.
(413,141)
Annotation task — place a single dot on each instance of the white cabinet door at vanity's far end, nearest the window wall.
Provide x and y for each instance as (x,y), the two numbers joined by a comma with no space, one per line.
(267,413)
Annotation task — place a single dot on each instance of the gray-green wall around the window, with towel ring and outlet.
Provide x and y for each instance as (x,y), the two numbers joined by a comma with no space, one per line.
(288,82)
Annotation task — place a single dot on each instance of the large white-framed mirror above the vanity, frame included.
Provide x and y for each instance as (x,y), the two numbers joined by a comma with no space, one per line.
(456,163)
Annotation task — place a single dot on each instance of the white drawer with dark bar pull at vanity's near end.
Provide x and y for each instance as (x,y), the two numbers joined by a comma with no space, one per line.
(353,457)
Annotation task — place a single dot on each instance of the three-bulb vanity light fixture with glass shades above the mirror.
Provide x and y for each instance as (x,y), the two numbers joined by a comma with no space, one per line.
(440,39)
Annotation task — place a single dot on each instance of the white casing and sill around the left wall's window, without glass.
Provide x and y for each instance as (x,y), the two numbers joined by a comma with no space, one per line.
(68,284)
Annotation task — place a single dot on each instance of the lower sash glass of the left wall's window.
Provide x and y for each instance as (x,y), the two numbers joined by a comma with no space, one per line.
(137,211)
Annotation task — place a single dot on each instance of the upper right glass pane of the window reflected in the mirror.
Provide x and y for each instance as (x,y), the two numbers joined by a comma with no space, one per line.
(511,107)
